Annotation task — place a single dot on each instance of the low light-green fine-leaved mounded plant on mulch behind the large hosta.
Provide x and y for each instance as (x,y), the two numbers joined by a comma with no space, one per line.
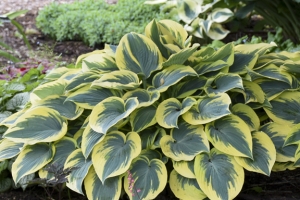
(96,22)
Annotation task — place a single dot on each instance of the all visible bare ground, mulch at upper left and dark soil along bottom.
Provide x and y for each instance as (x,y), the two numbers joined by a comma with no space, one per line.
(279,186)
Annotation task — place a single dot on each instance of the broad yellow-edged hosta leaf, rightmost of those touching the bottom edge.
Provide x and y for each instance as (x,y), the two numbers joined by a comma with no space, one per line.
(218,175)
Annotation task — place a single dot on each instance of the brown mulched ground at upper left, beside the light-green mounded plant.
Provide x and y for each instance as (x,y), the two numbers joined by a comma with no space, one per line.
(68,50)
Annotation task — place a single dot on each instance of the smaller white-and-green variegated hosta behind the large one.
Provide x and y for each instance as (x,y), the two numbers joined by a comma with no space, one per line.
(201,18)
